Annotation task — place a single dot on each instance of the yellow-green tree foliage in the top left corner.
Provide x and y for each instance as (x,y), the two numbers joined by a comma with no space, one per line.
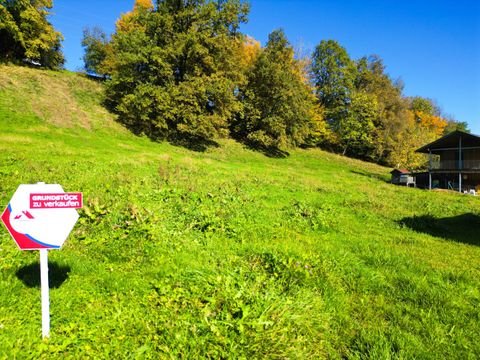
(27,35)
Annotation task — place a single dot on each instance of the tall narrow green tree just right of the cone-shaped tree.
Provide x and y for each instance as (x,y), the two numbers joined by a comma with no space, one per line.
(333,74)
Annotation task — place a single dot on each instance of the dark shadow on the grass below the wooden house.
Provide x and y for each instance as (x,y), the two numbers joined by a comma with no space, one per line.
(461,228)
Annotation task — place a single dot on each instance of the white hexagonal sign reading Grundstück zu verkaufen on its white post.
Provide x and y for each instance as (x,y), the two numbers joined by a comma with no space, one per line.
(40,217)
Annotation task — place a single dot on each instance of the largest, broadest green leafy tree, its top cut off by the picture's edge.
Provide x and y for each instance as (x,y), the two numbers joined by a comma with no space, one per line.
(172,67)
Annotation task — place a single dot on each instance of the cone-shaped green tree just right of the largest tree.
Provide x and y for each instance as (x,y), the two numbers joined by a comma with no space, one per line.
(280,109)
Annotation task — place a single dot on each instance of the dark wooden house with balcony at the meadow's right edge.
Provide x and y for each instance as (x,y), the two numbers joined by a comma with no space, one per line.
(454,162)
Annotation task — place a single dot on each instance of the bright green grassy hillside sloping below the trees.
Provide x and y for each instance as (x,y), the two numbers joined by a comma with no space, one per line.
(226,253)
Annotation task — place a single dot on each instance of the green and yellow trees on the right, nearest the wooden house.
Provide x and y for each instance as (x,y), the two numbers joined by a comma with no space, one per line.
(368,114)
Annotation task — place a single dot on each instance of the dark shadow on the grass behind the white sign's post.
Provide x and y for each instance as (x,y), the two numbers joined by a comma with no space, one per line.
(30,275)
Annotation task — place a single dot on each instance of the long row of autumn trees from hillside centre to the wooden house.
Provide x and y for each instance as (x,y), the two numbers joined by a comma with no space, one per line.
(182,69)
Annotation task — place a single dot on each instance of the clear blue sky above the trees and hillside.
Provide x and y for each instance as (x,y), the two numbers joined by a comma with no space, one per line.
(432,45)
